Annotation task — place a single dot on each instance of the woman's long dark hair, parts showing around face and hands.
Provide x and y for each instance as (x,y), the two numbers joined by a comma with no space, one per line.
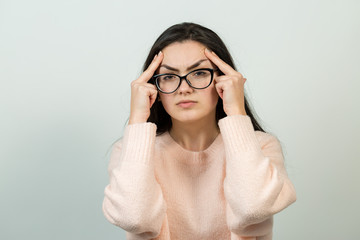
(179,33)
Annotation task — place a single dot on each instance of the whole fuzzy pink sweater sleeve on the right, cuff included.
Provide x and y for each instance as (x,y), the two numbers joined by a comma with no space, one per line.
(256,185)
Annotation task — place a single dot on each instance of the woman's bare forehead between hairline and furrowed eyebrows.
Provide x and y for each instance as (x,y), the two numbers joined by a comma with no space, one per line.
(182,54)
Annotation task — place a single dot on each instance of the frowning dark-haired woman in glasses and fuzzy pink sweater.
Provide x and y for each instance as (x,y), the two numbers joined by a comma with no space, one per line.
(193,162)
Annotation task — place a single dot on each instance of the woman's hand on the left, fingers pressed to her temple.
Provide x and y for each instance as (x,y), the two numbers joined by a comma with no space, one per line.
(143,94)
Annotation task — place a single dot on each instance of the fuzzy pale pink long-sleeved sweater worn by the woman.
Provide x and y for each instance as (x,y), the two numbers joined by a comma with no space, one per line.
(231,190)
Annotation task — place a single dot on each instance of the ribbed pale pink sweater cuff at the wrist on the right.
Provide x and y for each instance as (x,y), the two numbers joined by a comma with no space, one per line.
(238,133)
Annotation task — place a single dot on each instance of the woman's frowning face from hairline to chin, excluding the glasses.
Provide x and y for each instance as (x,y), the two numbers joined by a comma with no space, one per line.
(187,104)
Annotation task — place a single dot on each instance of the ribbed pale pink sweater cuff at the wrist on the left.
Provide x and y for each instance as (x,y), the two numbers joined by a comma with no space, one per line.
(139,141)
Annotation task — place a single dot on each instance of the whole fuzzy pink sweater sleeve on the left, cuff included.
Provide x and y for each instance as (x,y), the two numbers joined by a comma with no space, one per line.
(133,198)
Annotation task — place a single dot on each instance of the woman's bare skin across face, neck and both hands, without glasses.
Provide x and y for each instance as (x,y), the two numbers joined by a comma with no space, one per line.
(194,127)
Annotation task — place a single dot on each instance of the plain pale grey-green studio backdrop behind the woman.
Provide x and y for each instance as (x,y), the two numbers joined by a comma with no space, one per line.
(66,68)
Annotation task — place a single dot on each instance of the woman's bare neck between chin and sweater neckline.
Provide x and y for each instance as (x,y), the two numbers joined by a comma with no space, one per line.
(194,136)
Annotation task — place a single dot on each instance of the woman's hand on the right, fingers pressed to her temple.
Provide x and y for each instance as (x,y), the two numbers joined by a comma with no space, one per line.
(230,86)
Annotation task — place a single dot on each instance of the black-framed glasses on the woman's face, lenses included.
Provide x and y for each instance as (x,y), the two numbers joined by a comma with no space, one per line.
(198,79)
